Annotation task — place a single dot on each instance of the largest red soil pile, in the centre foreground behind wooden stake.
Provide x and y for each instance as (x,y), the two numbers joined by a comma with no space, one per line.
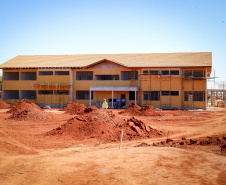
(104,126)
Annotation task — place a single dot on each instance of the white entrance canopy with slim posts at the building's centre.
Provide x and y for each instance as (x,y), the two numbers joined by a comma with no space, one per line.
(112,89)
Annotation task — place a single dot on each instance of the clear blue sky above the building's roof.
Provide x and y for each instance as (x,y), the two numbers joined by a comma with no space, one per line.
(54,27)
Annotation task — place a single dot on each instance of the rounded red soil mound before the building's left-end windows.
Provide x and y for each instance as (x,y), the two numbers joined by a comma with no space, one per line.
(25,110)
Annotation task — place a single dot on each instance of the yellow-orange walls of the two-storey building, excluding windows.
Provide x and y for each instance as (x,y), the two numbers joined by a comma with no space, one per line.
(152,83)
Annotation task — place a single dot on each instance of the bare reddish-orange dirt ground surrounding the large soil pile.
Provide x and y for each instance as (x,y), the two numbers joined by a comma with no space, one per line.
(29,156)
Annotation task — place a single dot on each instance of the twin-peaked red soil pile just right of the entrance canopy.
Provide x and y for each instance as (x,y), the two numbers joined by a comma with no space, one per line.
(136,110)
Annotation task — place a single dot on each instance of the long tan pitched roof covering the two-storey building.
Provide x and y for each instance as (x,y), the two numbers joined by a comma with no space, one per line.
(187,59)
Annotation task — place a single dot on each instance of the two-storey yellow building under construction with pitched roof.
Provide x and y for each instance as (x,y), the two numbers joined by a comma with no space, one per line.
(165,80)
